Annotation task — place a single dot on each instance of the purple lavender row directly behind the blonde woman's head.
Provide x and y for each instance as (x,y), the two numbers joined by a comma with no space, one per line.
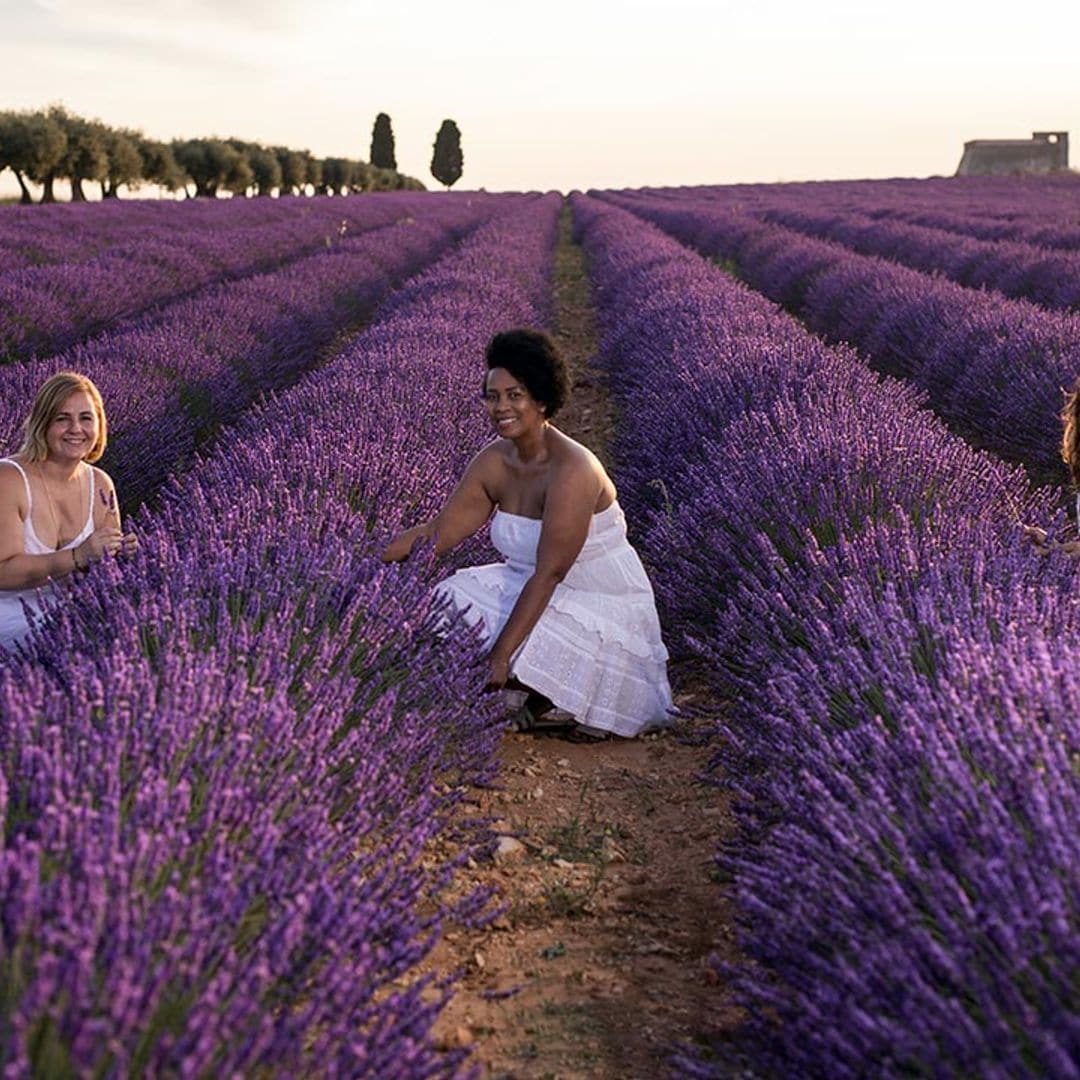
(199,363)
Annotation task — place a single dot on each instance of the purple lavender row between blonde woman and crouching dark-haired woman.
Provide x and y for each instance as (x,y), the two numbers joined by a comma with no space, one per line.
(232,777)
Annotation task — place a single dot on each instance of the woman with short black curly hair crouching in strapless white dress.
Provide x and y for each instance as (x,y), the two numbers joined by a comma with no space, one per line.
(570,617)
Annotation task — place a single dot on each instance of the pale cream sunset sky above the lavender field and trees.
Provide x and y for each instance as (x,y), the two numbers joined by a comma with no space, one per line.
(568,93)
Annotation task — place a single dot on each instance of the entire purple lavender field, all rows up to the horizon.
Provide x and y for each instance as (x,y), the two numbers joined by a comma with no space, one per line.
(234,769)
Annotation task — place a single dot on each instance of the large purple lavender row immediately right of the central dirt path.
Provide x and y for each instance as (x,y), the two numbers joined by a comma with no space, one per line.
(903,732)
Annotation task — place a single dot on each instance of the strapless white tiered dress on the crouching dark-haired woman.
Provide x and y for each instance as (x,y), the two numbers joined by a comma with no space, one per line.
(596,651)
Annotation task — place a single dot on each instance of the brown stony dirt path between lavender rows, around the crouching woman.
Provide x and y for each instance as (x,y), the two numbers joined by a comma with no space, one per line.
(602,962)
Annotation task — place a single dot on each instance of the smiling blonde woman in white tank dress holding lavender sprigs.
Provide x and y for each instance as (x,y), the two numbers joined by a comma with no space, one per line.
(59,514)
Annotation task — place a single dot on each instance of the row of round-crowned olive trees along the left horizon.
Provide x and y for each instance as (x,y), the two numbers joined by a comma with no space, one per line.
(53,144)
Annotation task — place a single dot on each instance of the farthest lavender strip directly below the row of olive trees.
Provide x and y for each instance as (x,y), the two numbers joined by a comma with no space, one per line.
(67,233)
